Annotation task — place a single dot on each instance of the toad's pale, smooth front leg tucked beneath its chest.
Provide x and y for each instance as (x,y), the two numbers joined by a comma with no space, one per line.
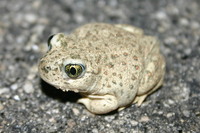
(100,104)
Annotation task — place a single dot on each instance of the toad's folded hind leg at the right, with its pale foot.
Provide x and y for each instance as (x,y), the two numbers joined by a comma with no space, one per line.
(154,69)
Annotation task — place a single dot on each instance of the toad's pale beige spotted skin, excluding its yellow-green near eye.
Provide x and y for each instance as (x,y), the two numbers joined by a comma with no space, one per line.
(122,65)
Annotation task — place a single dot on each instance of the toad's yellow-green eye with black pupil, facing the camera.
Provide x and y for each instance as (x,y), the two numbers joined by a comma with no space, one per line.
(74,70)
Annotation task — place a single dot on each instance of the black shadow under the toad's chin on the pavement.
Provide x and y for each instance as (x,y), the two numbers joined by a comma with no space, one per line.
(59,94)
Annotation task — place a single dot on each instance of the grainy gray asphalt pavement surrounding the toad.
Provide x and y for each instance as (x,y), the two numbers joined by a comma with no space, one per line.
(29,105)
